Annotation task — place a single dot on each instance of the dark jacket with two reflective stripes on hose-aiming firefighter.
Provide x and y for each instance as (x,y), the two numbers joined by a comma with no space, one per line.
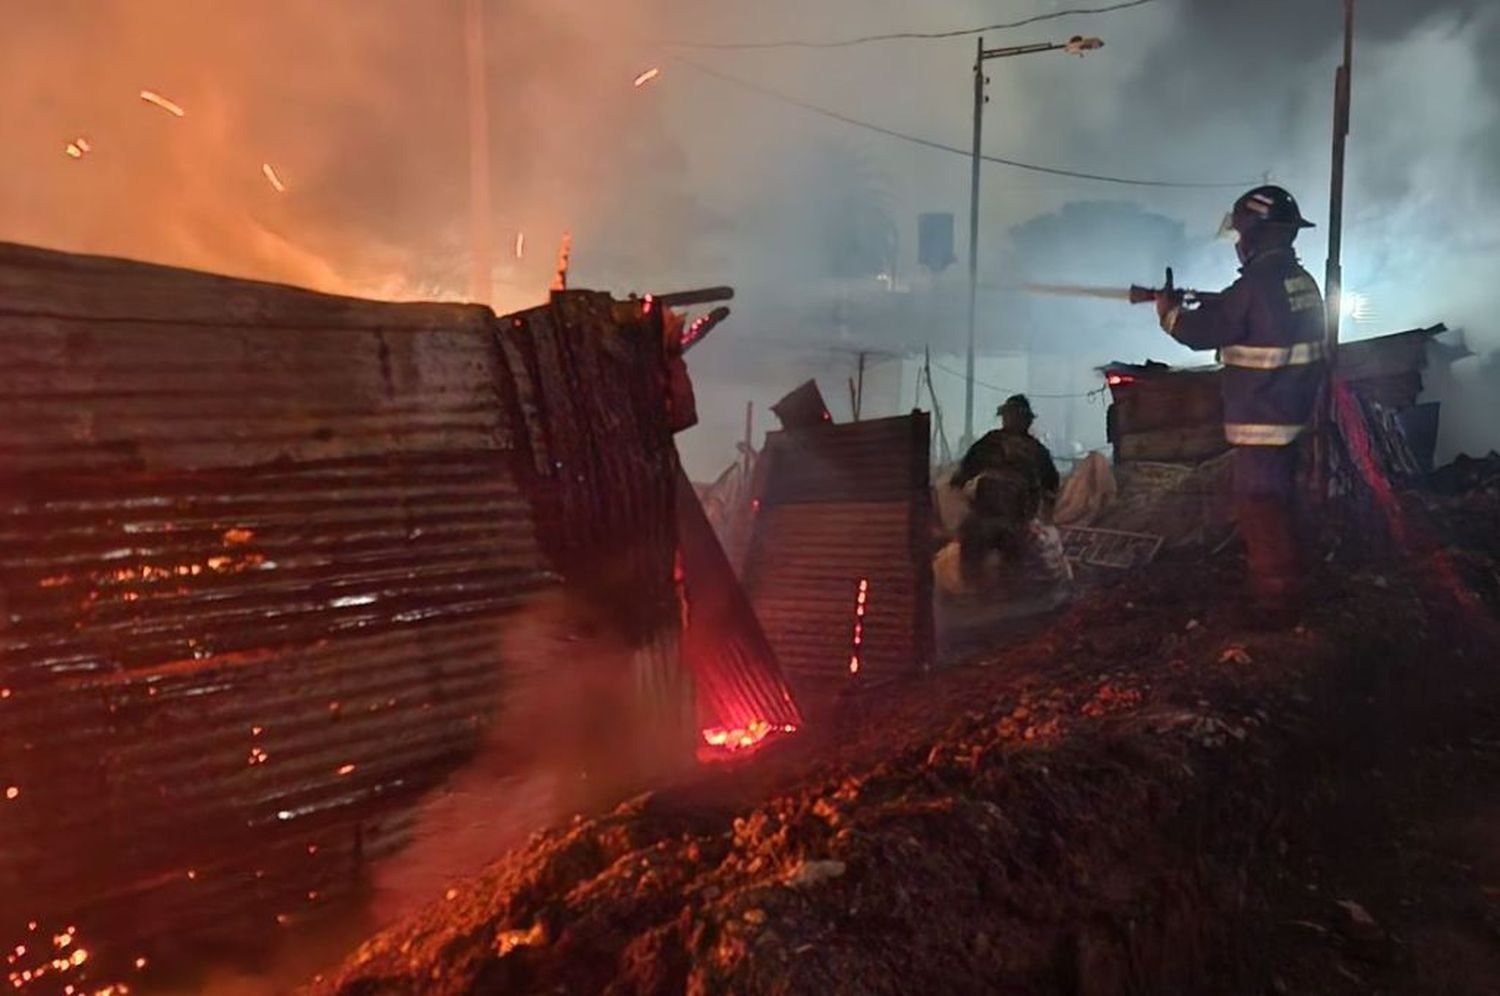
(1270,331)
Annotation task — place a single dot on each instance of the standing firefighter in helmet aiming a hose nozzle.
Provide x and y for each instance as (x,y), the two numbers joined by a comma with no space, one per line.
(1270,329)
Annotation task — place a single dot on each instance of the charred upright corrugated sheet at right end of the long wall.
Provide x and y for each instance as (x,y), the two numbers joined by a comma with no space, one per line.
(592,376)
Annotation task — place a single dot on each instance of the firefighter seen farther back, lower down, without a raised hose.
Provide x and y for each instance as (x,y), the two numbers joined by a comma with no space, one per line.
(1013,478)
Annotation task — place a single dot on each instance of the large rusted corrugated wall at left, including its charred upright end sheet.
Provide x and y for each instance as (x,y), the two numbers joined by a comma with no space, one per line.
(260,548)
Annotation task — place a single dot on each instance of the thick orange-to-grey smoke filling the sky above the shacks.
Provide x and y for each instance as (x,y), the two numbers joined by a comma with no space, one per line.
(362,109)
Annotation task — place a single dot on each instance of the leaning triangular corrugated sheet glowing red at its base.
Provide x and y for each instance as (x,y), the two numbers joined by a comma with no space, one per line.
(739,680)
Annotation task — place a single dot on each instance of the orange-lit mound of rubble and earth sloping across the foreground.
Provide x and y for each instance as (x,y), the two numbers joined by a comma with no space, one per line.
(1073,815)
